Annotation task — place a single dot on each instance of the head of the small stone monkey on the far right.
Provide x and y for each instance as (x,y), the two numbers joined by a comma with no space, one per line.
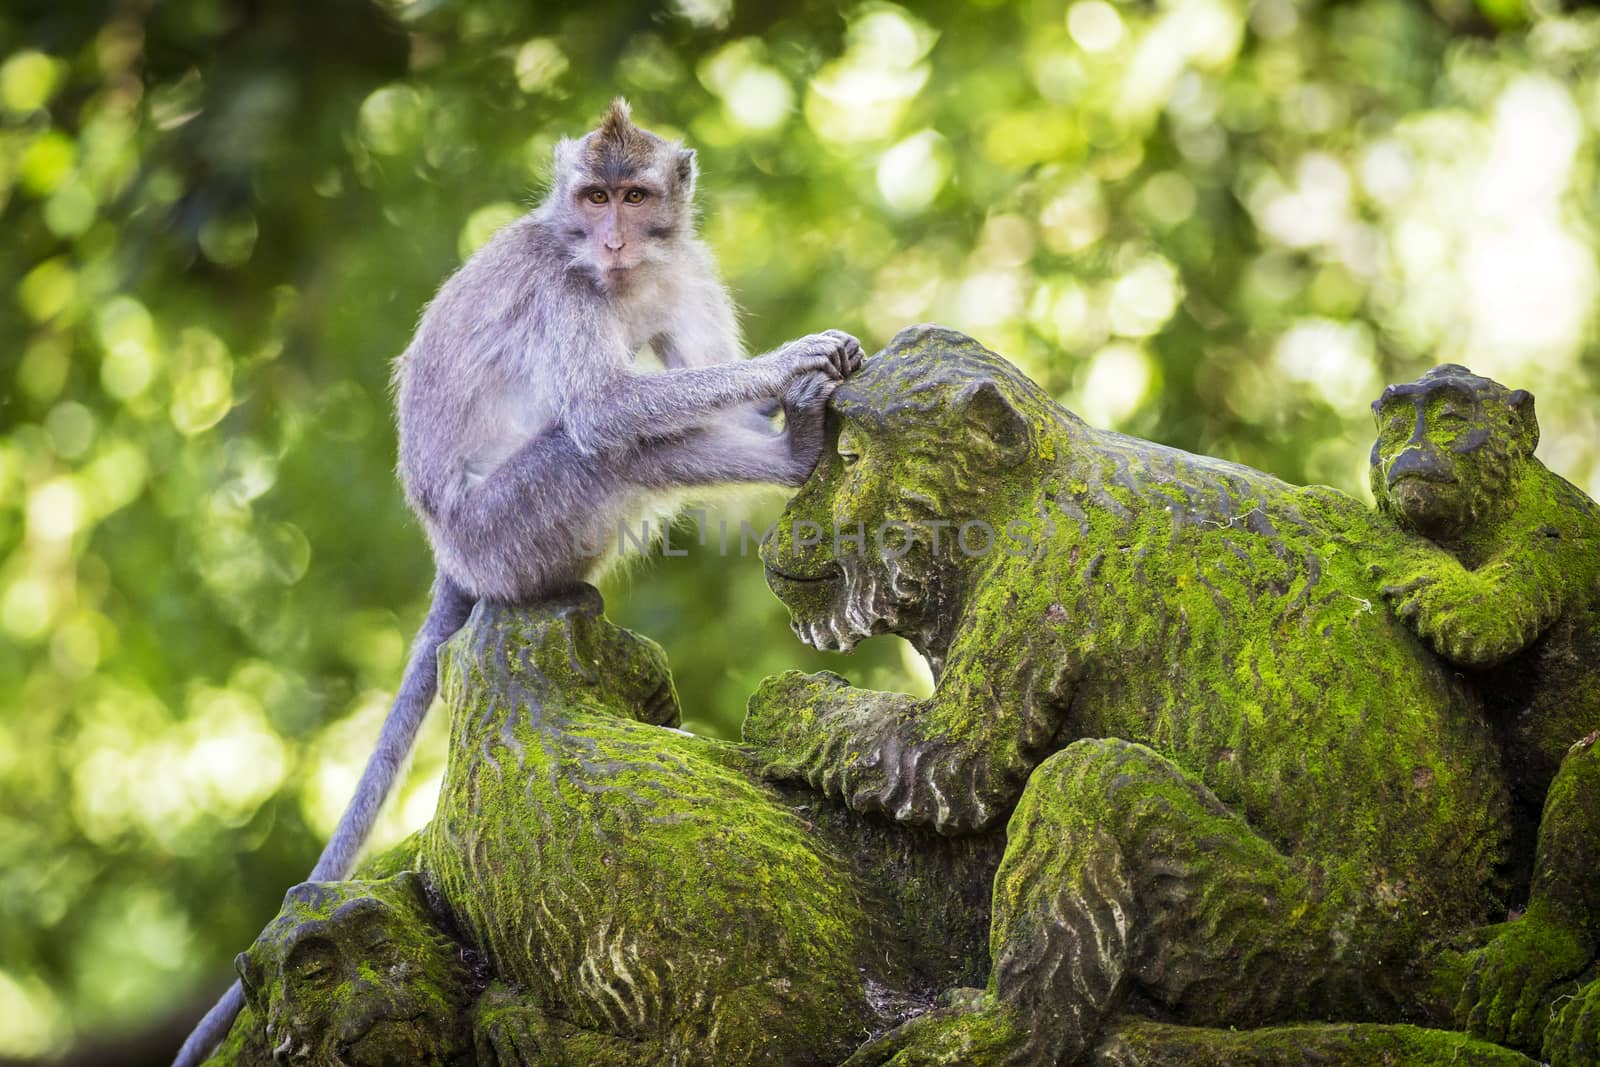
(1450,447)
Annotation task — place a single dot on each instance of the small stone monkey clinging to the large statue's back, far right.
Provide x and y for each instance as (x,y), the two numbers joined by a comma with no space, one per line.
(1506,585)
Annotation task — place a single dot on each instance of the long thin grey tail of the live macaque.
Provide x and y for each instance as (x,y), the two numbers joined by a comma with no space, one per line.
(449,613)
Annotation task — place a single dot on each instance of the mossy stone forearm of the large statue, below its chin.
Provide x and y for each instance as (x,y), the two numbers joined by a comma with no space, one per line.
(956,762)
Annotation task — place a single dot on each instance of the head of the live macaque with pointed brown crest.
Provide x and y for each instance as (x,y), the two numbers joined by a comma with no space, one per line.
(622,196)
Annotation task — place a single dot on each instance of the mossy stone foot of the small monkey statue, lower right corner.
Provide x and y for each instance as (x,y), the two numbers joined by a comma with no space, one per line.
(1508,993)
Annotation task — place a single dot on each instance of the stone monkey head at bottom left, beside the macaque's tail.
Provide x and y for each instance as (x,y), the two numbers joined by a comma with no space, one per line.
(359,973)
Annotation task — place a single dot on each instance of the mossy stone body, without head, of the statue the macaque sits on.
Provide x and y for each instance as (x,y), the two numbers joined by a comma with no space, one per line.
(631,879)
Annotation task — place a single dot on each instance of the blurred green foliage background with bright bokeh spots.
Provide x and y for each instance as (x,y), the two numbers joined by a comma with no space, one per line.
(1218,223)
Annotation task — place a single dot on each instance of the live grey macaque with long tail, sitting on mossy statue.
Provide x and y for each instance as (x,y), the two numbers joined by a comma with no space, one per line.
(527,434)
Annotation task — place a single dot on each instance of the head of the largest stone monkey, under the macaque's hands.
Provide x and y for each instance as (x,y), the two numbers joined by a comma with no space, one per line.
(910,497)
